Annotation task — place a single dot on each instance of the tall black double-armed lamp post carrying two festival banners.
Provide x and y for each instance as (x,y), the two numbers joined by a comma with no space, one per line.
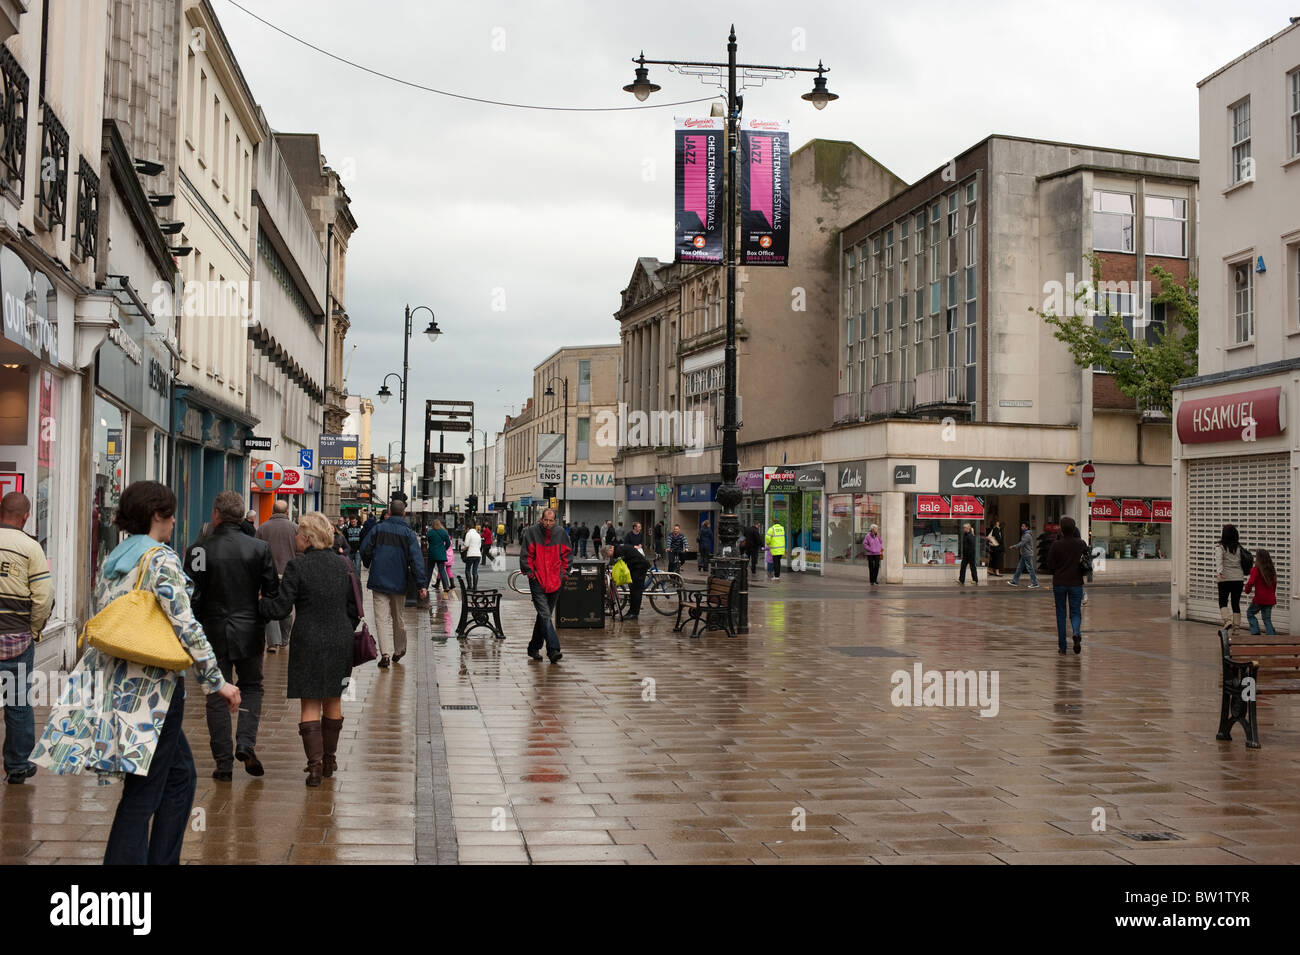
(729,494)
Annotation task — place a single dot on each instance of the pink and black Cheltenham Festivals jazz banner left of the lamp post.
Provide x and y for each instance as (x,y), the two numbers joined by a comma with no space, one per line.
(697,212)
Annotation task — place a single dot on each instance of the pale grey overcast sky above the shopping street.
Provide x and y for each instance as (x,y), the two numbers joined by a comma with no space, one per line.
(463,206)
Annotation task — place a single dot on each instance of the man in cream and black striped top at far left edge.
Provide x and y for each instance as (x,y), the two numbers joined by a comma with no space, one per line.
(27,598)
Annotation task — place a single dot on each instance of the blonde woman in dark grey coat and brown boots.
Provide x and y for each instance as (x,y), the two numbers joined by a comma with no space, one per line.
(318,584)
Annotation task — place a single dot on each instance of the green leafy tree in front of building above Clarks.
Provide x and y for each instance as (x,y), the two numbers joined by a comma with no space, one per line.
(1143,371)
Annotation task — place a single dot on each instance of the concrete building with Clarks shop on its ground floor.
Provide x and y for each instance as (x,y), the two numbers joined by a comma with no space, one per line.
(956,401)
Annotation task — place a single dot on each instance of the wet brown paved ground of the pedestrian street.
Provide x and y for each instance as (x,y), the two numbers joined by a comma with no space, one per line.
(781,748)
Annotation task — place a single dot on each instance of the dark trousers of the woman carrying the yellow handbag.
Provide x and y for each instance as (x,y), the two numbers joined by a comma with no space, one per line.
(166,797)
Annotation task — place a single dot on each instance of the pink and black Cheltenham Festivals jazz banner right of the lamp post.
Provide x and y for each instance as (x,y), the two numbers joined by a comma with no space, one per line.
(765,193)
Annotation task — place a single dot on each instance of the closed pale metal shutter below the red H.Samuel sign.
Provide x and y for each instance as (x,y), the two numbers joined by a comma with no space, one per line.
(1253,493)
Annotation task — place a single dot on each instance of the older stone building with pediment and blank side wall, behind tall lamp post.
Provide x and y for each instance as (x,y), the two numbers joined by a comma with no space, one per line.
(673,327)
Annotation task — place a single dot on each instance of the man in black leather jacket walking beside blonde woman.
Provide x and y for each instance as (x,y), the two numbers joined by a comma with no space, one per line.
(231,571)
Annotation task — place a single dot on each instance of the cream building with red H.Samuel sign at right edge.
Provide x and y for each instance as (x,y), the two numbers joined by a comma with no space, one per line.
(1237,455)
